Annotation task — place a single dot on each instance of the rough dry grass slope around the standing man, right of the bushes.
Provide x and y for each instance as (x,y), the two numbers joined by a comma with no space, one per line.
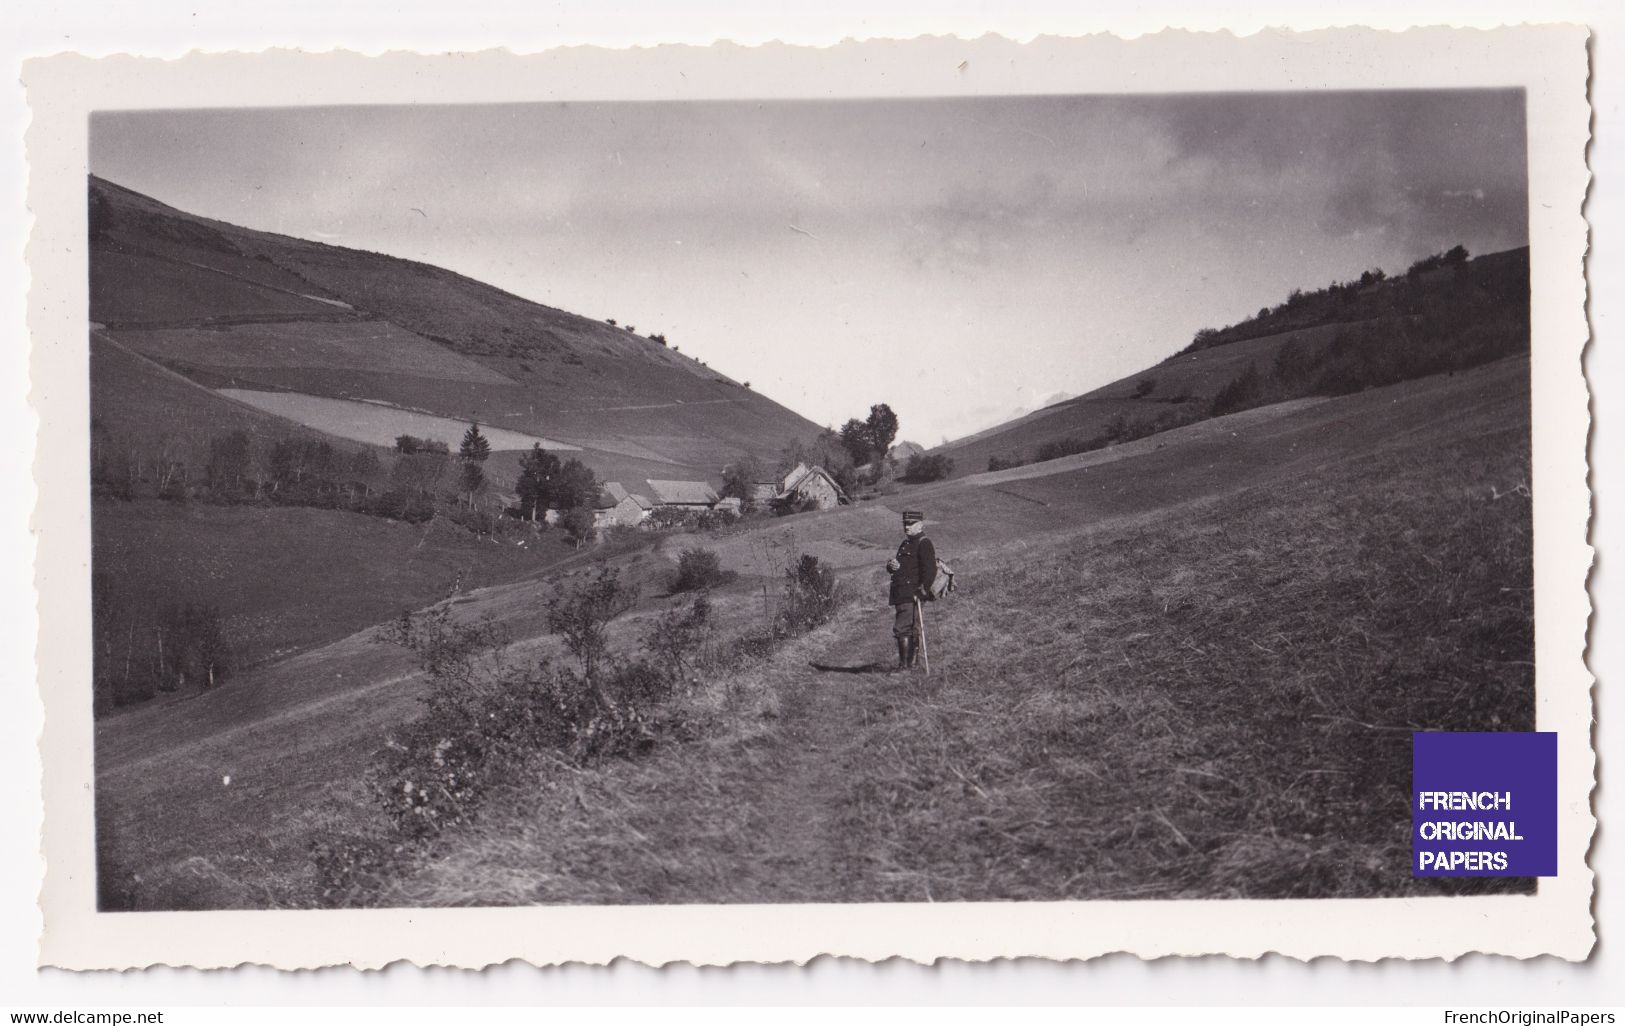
(1203,703)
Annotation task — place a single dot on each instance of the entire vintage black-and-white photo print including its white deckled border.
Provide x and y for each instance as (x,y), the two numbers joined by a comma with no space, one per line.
(994,516)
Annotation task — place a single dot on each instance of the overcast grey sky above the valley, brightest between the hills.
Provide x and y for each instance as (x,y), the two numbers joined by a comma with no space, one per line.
(960,259)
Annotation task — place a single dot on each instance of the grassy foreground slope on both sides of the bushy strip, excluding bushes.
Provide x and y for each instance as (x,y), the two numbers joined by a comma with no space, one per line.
(1187,671)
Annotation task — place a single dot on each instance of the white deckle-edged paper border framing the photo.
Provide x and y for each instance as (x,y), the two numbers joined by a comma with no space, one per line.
(1549,63)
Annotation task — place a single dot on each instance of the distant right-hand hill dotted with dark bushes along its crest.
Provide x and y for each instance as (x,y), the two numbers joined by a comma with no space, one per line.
(1341,339)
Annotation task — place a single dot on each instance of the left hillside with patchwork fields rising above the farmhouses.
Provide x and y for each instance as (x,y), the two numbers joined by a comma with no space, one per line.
(222,303)
